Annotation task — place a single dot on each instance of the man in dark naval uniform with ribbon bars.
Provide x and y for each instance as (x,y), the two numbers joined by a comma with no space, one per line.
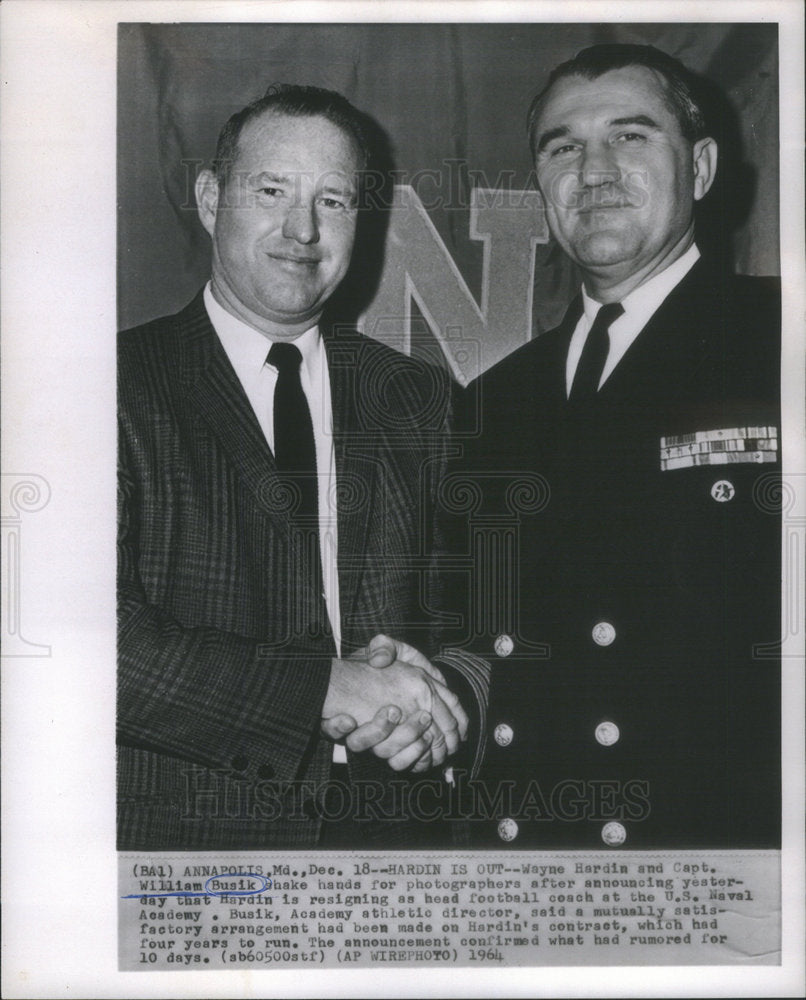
(635,690)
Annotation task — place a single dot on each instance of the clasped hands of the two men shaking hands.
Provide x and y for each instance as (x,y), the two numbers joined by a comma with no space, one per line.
(388,698)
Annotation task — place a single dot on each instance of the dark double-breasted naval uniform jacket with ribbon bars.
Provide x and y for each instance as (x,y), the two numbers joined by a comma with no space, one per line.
(627,583)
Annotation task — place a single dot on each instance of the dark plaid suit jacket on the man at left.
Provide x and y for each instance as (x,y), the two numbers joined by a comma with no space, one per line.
(224,643)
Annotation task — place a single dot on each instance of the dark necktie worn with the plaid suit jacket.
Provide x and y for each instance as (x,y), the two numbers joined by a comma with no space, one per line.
(295,449)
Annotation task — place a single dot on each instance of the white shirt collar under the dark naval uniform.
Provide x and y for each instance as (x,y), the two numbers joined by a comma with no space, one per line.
(639,307)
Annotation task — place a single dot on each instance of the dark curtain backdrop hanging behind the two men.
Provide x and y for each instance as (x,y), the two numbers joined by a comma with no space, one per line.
(450,101)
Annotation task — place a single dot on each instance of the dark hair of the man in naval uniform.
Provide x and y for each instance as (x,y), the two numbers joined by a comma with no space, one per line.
(593,62)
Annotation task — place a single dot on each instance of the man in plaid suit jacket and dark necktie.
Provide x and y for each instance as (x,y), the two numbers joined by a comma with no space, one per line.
(242,625)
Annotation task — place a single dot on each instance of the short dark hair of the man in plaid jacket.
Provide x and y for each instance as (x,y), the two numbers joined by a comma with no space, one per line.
(296,102)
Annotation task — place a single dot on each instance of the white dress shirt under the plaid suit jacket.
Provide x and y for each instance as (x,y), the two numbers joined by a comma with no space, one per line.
(247,349)
